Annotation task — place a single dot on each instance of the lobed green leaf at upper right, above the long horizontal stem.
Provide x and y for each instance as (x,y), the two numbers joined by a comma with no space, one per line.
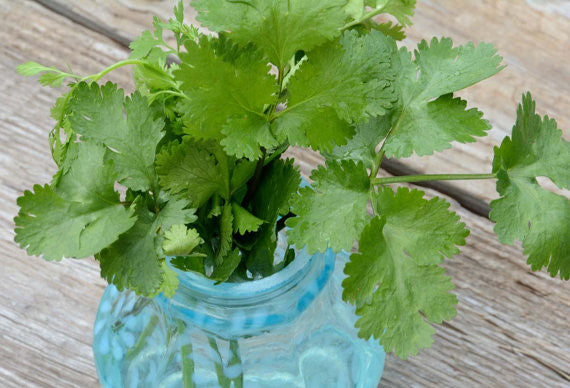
(425,125)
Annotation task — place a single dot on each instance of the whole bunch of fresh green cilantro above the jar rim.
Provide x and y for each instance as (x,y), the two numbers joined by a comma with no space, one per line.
(191,165)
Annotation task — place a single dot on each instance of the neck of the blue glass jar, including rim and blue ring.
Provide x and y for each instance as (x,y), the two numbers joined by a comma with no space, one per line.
(232,310)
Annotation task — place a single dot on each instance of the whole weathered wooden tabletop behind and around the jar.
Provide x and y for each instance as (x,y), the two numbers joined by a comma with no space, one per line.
(512,327)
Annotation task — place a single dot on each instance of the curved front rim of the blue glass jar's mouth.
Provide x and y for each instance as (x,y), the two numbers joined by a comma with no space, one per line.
(278,282)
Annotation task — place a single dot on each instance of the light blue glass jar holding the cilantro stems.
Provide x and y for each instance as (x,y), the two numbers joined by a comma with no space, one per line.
(290,329)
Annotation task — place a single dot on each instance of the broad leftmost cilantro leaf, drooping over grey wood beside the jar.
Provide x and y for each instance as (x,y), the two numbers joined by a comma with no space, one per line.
(77,217)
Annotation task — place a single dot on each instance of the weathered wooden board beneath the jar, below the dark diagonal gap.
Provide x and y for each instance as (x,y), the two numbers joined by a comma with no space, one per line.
(512,324)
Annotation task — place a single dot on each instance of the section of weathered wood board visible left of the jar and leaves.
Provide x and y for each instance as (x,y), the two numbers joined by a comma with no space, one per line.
(47,309)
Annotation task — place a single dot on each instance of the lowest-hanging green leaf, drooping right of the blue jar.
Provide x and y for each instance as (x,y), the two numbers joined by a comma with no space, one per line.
(407,297)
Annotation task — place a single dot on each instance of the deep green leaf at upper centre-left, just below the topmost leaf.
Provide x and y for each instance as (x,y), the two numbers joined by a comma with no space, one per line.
(223,82)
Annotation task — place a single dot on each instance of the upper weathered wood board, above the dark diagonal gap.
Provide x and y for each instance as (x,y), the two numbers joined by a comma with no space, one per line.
(533,38)
